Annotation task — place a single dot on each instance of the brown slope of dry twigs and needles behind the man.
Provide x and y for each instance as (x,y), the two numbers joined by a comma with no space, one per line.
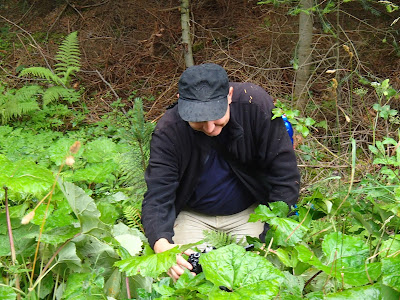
(132,49)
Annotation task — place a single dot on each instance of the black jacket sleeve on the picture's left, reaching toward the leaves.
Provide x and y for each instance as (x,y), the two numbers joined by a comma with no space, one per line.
(158,208)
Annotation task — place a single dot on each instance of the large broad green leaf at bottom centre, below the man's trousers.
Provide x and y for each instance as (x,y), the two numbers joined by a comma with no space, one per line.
(246,274)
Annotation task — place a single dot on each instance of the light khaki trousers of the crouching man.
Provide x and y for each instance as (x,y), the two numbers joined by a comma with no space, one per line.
(189,225)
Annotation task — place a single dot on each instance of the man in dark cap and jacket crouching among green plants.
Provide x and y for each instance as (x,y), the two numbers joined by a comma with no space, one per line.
(214,157)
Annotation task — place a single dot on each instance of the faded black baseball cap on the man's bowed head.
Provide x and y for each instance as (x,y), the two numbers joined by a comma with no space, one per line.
(203,91)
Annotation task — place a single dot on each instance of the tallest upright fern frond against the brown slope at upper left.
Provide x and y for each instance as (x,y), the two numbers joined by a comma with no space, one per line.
(68,54)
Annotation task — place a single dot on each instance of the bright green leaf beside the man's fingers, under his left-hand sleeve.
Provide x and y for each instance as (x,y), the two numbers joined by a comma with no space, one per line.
(149,265)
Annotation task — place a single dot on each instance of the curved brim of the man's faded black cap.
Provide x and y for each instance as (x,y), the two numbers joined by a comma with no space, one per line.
(200,111)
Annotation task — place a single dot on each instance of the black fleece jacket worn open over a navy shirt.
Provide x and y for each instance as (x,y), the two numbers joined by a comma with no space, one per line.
(258,149)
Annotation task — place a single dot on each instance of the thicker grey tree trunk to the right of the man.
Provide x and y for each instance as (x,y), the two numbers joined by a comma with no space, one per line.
(304,53)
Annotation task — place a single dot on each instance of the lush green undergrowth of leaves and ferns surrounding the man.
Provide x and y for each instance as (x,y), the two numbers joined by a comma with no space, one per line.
(78,194)
